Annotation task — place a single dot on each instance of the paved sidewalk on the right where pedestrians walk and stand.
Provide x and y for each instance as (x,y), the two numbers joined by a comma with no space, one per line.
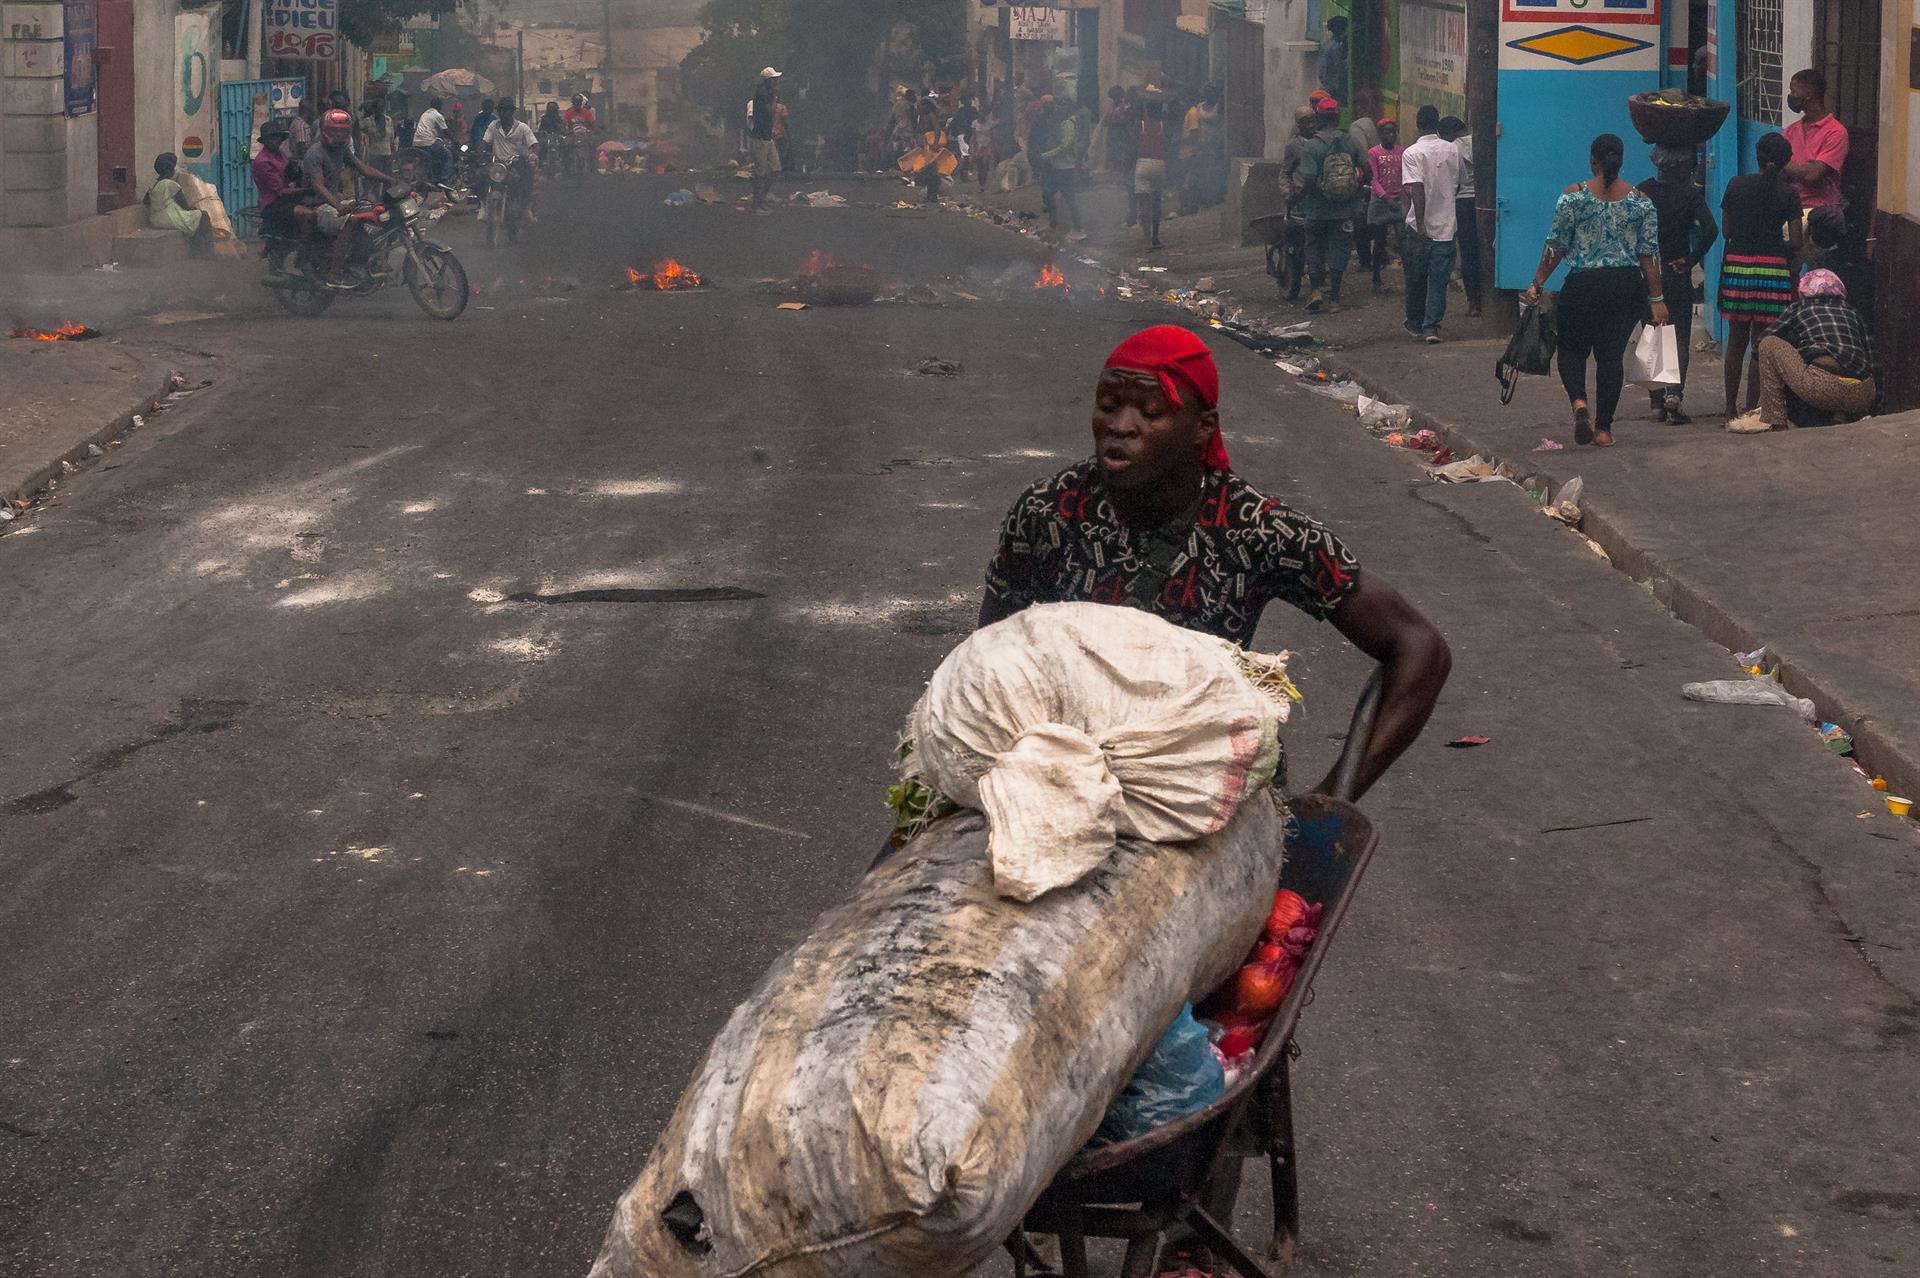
(1802,542)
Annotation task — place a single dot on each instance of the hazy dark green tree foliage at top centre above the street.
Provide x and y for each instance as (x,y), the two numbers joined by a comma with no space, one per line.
(840,57)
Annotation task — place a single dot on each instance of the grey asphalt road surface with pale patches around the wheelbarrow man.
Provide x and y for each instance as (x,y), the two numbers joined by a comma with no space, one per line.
(366,909)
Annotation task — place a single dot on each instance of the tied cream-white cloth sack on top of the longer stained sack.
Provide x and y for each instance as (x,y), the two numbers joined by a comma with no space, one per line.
(1074,724)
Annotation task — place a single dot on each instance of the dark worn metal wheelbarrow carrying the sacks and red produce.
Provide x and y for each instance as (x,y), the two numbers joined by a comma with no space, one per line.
(1188,1173)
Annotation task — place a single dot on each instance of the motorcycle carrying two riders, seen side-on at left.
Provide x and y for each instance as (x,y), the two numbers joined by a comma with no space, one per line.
(391,247)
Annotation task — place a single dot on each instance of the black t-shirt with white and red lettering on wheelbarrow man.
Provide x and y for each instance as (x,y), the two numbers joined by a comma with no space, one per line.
(1065,542)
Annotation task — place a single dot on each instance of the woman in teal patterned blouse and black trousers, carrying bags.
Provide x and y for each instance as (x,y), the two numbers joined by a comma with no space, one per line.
(1610,239)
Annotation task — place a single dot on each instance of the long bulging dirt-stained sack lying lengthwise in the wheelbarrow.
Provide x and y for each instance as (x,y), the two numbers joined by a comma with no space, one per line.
(905,1083)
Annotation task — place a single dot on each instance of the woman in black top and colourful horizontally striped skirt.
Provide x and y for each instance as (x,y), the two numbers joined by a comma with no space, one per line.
(1764,233)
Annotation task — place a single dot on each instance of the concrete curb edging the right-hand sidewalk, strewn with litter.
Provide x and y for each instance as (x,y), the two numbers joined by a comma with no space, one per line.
(1883,747)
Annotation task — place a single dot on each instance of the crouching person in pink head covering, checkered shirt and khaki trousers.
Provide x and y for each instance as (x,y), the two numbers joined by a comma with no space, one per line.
(1815,366)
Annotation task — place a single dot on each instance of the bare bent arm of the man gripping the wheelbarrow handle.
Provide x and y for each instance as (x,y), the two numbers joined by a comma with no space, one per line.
(1416,659)
